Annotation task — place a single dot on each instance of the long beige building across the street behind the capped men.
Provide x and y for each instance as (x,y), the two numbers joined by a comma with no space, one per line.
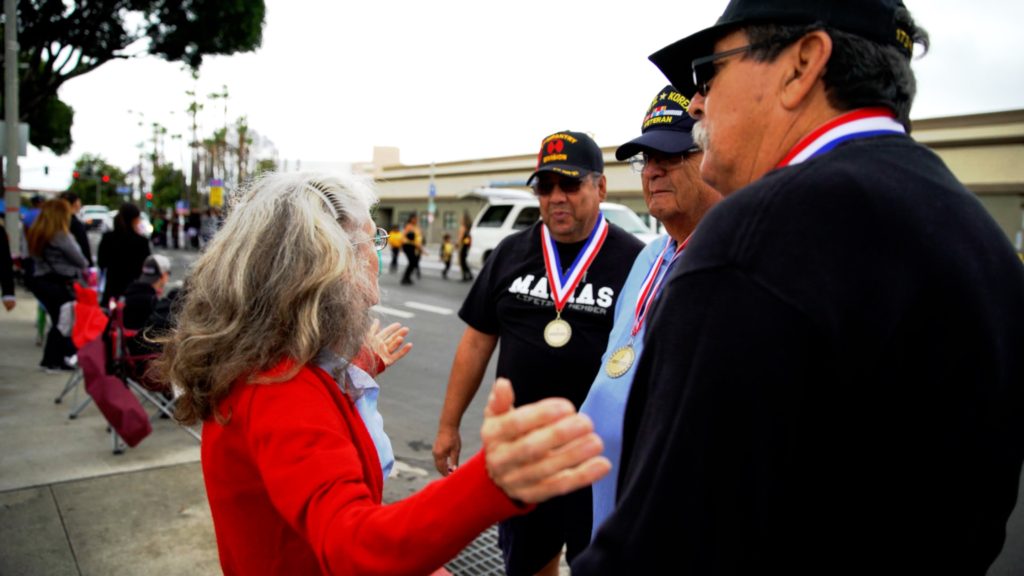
(986,151)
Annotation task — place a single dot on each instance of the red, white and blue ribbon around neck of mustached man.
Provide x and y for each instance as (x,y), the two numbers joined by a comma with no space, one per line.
(860,124)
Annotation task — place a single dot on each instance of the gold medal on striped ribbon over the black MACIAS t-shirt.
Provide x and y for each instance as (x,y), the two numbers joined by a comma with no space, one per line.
(559,333)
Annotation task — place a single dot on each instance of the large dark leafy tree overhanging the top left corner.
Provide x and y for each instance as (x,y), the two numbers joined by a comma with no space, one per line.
(64,39)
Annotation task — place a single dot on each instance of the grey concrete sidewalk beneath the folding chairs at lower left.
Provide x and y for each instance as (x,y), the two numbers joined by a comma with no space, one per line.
(68,505)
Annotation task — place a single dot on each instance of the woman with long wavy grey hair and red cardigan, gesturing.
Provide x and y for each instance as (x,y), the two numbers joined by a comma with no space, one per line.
(292,464)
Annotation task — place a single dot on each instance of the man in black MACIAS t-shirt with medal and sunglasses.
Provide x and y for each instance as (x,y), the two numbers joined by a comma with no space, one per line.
(548,294)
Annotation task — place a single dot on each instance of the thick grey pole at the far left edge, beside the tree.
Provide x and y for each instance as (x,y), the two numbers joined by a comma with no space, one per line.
(13,195)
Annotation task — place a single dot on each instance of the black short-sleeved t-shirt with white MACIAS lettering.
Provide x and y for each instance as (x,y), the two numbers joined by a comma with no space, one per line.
(511,299)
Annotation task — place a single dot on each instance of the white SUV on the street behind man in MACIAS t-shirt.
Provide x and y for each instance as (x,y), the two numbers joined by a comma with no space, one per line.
(516,211)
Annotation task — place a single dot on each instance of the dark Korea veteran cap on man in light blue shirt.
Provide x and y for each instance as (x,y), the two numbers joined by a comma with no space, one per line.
(666,128)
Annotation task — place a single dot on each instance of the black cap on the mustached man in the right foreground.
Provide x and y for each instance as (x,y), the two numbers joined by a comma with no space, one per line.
(874,20)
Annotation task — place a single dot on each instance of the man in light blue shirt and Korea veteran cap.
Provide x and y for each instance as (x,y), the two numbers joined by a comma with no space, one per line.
(669,164)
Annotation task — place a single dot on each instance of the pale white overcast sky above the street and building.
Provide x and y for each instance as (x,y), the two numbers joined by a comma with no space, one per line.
(459,80)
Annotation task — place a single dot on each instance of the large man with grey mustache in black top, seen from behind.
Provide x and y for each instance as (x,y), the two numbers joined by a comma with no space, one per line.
(834,380)
